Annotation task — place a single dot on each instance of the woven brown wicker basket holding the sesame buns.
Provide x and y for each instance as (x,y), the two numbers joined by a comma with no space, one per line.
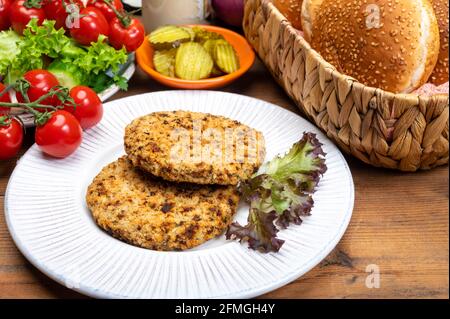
(399,131)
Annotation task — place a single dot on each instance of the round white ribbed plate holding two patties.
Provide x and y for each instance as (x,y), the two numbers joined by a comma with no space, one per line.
(51,225)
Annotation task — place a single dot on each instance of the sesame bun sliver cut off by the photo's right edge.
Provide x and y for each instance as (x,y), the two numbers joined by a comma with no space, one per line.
(440,73)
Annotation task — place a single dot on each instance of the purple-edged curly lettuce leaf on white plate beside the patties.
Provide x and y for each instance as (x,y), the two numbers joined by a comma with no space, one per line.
(280,194)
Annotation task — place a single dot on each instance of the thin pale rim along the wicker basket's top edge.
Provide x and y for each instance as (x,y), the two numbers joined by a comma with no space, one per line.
(337,74)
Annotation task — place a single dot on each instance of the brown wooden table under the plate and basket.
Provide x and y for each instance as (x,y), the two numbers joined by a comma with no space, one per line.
(399,224)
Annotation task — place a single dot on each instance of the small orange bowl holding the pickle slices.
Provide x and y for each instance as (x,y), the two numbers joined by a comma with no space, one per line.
(144,56)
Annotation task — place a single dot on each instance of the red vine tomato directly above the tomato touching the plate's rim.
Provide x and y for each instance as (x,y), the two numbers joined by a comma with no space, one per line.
(89,107)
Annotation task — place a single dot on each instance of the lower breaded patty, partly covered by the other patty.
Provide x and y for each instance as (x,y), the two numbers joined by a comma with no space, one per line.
(145,211)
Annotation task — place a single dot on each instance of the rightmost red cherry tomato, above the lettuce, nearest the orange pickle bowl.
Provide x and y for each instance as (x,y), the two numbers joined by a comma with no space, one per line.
(130,36)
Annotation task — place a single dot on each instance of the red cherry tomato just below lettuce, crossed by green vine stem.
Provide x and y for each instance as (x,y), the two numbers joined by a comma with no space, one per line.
(41,82)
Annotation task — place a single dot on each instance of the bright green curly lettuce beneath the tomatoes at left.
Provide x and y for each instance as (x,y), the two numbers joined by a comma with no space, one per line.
(40,42)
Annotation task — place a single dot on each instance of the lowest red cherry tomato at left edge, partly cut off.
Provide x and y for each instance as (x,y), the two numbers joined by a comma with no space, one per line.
(11,138)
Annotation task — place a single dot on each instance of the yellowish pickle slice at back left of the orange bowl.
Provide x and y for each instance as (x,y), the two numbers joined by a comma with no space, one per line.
(169,36)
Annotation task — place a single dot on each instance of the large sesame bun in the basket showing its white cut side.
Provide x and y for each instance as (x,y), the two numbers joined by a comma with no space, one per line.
(388,44)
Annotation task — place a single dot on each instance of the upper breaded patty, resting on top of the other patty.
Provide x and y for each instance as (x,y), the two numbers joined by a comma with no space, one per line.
(194,147)
